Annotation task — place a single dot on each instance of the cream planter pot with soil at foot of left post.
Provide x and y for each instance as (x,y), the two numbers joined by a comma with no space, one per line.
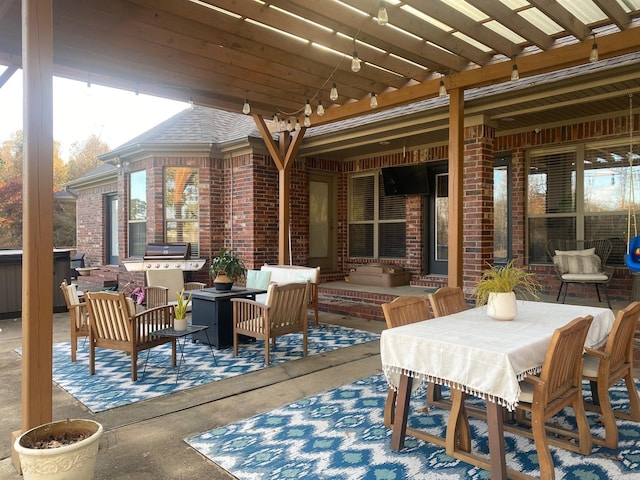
(74,461)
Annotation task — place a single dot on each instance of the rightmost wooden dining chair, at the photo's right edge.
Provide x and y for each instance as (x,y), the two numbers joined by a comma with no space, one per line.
(603,368)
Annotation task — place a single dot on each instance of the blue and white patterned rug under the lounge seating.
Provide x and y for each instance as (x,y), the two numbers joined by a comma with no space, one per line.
(112,387)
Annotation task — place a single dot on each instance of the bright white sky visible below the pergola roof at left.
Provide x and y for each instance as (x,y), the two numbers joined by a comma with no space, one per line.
(79,111)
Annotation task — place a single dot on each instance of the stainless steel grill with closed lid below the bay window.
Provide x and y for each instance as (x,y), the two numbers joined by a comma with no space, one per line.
(166,256)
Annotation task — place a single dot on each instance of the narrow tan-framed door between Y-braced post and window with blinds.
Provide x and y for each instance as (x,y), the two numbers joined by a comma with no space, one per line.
(322,214)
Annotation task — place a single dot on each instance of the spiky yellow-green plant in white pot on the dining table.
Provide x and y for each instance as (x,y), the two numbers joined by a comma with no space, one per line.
(499,286)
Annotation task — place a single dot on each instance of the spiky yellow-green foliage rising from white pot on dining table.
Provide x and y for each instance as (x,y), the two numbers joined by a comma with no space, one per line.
(504,279)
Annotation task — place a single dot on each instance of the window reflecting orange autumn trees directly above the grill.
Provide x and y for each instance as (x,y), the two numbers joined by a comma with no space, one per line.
(181,207)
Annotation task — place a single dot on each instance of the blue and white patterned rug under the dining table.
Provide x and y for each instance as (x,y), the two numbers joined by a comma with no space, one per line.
(340,434)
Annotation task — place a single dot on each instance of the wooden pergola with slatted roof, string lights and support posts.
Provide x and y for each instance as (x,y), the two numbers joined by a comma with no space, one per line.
(272,59)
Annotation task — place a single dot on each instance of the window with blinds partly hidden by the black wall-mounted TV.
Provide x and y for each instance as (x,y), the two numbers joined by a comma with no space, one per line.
(377,225)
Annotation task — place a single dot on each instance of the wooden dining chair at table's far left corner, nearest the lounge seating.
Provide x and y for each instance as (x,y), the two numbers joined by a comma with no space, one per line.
(402,311)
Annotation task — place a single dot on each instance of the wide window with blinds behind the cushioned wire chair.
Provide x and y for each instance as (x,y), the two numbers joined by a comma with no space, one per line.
(583,193)
